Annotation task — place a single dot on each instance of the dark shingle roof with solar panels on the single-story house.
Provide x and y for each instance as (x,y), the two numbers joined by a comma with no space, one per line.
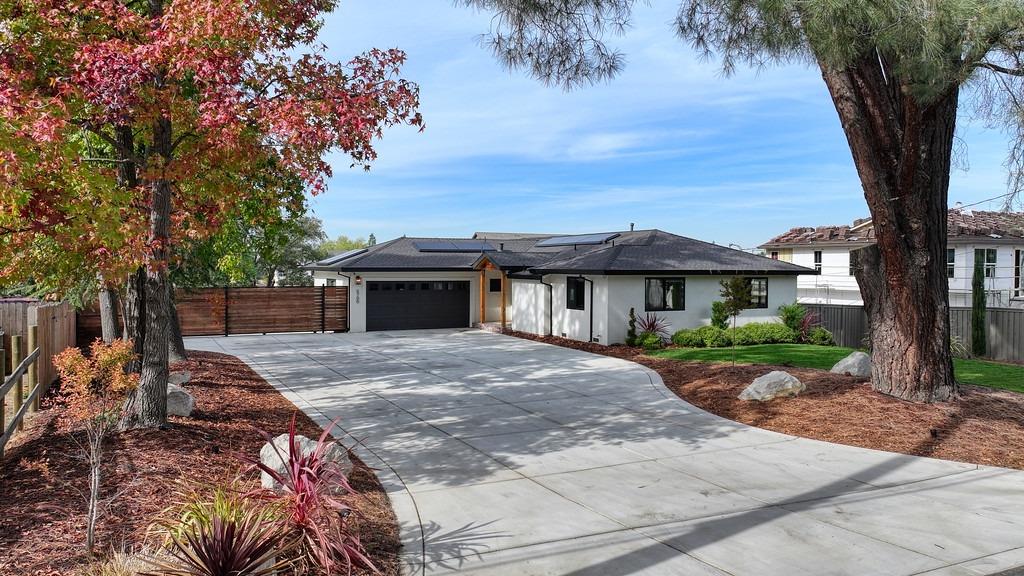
(621,253)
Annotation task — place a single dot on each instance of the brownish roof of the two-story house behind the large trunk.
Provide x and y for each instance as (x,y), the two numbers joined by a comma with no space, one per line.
(961,225)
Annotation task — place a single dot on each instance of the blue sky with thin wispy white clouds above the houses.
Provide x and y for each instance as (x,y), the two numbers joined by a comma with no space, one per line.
(670,144)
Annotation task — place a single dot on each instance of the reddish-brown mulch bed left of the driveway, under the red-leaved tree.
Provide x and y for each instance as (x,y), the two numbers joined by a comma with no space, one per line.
(44,479)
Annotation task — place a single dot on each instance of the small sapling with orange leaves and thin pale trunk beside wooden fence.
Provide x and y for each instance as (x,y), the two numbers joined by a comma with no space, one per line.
(93,392)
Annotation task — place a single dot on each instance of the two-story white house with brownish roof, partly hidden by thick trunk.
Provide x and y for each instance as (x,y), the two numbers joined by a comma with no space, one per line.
(997,237)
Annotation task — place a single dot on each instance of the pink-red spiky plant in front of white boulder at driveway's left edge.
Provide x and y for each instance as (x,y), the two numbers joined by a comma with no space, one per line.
(315,503)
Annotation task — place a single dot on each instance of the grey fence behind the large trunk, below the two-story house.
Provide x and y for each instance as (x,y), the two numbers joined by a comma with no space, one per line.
(1006,328)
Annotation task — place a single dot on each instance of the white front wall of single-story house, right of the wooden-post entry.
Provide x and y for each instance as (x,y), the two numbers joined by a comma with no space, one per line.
(615,296)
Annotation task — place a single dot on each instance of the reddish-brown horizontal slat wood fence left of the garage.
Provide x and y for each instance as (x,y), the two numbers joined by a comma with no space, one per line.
(209,312)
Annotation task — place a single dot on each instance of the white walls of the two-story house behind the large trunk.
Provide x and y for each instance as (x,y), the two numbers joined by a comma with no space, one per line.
(837,286)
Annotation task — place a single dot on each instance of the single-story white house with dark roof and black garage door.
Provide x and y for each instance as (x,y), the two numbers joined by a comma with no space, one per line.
(581,287)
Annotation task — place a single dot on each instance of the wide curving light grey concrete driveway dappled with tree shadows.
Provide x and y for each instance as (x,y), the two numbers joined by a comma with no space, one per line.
(507,457)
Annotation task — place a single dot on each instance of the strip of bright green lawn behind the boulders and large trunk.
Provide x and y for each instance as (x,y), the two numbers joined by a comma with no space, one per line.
(993,375)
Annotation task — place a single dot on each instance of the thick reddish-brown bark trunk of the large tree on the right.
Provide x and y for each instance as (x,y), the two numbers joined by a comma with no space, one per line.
(902,149)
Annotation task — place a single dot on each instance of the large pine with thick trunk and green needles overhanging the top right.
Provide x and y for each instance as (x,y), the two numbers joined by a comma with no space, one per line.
(895,71)
